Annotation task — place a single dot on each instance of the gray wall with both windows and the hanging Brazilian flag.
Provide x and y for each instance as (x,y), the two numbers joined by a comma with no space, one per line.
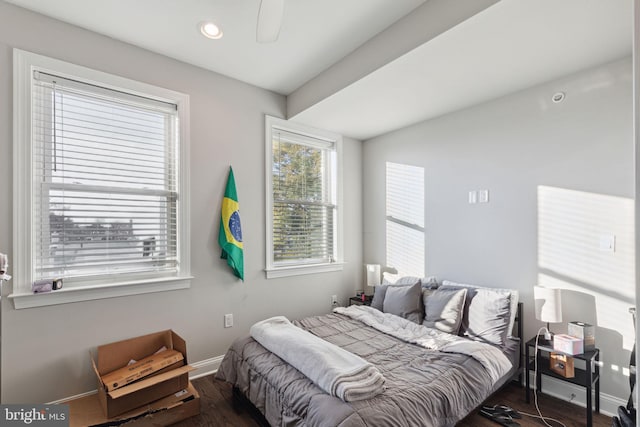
(45,351)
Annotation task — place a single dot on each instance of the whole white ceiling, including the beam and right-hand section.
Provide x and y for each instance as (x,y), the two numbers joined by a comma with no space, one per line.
(365,67)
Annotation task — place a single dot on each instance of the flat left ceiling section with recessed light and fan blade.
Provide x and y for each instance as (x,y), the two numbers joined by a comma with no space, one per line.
(313,35)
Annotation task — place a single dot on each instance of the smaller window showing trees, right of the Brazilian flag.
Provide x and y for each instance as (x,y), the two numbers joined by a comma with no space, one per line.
(303,199)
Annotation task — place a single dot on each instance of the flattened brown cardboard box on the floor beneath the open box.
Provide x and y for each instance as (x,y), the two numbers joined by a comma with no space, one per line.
(87,411)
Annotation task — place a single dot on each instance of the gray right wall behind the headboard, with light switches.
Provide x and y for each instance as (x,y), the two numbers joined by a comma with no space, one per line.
(559,175)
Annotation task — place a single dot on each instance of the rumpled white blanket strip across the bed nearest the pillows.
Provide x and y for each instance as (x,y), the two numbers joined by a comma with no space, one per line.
(493,360)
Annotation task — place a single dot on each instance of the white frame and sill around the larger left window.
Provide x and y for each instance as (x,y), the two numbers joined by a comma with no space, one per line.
(24,65)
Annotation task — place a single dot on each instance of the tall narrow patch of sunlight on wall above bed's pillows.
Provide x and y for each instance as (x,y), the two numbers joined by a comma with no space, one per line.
(405,219)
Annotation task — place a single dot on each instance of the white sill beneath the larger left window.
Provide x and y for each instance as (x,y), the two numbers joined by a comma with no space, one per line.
(77,294)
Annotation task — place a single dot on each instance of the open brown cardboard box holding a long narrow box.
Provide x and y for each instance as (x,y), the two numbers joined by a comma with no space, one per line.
(110,357)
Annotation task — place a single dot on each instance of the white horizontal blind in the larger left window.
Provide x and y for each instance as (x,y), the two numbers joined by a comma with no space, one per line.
(105,181)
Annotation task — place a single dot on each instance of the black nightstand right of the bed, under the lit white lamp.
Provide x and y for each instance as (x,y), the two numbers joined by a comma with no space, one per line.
(589,377)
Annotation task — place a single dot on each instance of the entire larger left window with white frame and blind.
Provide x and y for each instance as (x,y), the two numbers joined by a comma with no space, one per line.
(101,158)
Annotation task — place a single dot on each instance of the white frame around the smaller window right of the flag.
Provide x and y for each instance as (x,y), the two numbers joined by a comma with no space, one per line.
(291,269)
